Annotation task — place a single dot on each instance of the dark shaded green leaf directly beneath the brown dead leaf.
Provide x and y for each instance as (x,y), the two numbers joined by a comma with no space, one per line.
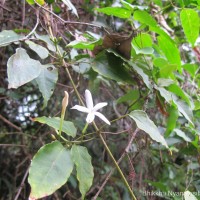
(111,66)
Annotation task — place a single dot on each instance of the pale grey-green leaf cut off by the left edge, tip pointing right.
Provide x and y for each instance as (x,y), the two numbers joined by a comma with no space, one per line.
(9,36)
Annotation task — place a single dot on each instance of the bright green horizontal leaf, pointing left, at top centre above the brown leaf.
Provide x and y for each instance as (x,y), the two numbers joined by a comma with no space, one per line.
(115,11)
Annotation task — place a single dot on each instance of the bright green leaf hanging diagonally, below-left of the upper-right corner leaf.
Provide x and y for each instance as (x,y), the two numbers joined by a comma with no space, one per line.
(170,50)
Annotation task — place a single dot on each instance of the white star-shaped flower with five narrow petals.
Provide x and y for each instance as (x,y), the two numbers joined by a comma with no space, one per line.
(91,109)
